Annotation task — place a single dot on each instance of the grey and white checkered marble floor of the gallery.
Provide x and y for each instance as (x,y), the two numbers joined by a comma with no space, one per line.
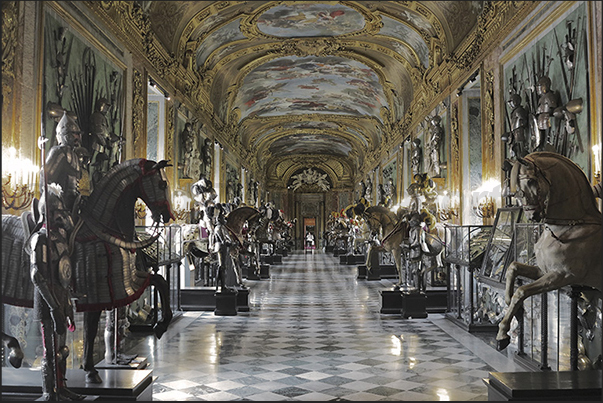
(314,333)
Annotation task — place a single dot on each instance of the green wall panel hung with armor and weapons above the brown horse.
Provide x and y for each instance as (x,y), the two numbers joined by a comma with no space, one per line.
(552,71)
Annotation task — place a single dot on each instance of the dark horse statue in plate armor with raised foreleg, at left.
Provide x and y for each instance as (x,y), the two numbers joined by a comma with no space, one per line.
(108,272)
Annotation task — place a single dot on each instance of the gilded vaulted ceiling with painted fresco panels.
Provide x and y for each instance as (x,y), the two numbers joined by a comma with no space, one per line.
(310,84)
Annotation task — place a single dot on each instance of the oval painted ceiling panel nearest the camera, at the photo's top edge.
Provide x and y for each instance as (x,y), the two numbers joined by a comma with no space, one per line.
(310,19)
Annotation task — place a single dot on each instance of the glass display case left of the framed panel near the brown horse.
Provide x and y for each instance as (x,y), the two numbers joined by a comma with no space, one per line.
(465,248)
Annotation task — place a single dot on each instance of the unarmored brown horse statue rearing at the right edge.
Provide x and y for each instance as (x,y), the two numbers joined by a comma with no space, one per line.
(555,191)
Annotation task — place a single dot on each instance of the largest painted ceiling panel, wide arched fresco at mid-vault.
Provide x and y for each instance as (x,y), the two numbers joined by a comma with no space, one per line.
(299,85)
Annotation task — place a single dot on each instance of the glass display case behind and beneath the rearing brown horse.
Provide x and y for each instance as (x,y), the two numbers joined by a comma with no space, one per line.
(543,335)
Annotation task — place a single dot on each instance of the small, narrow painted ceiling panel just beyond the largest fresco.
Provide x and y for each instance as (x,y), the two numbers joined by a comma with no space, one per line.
(304,143)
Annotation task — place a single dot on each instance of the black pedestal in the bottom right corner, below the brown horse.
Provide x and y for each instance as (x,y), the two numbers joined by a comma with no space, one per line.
(544,386)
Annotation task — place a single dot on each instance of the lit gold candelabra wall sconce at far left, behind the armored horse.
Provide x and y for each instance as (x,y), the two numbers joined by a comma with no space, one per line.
(18,187)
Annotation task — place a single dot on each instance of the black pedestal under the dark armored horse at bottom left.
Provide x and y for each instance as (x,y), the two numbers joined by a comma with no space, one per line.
(118,384)
